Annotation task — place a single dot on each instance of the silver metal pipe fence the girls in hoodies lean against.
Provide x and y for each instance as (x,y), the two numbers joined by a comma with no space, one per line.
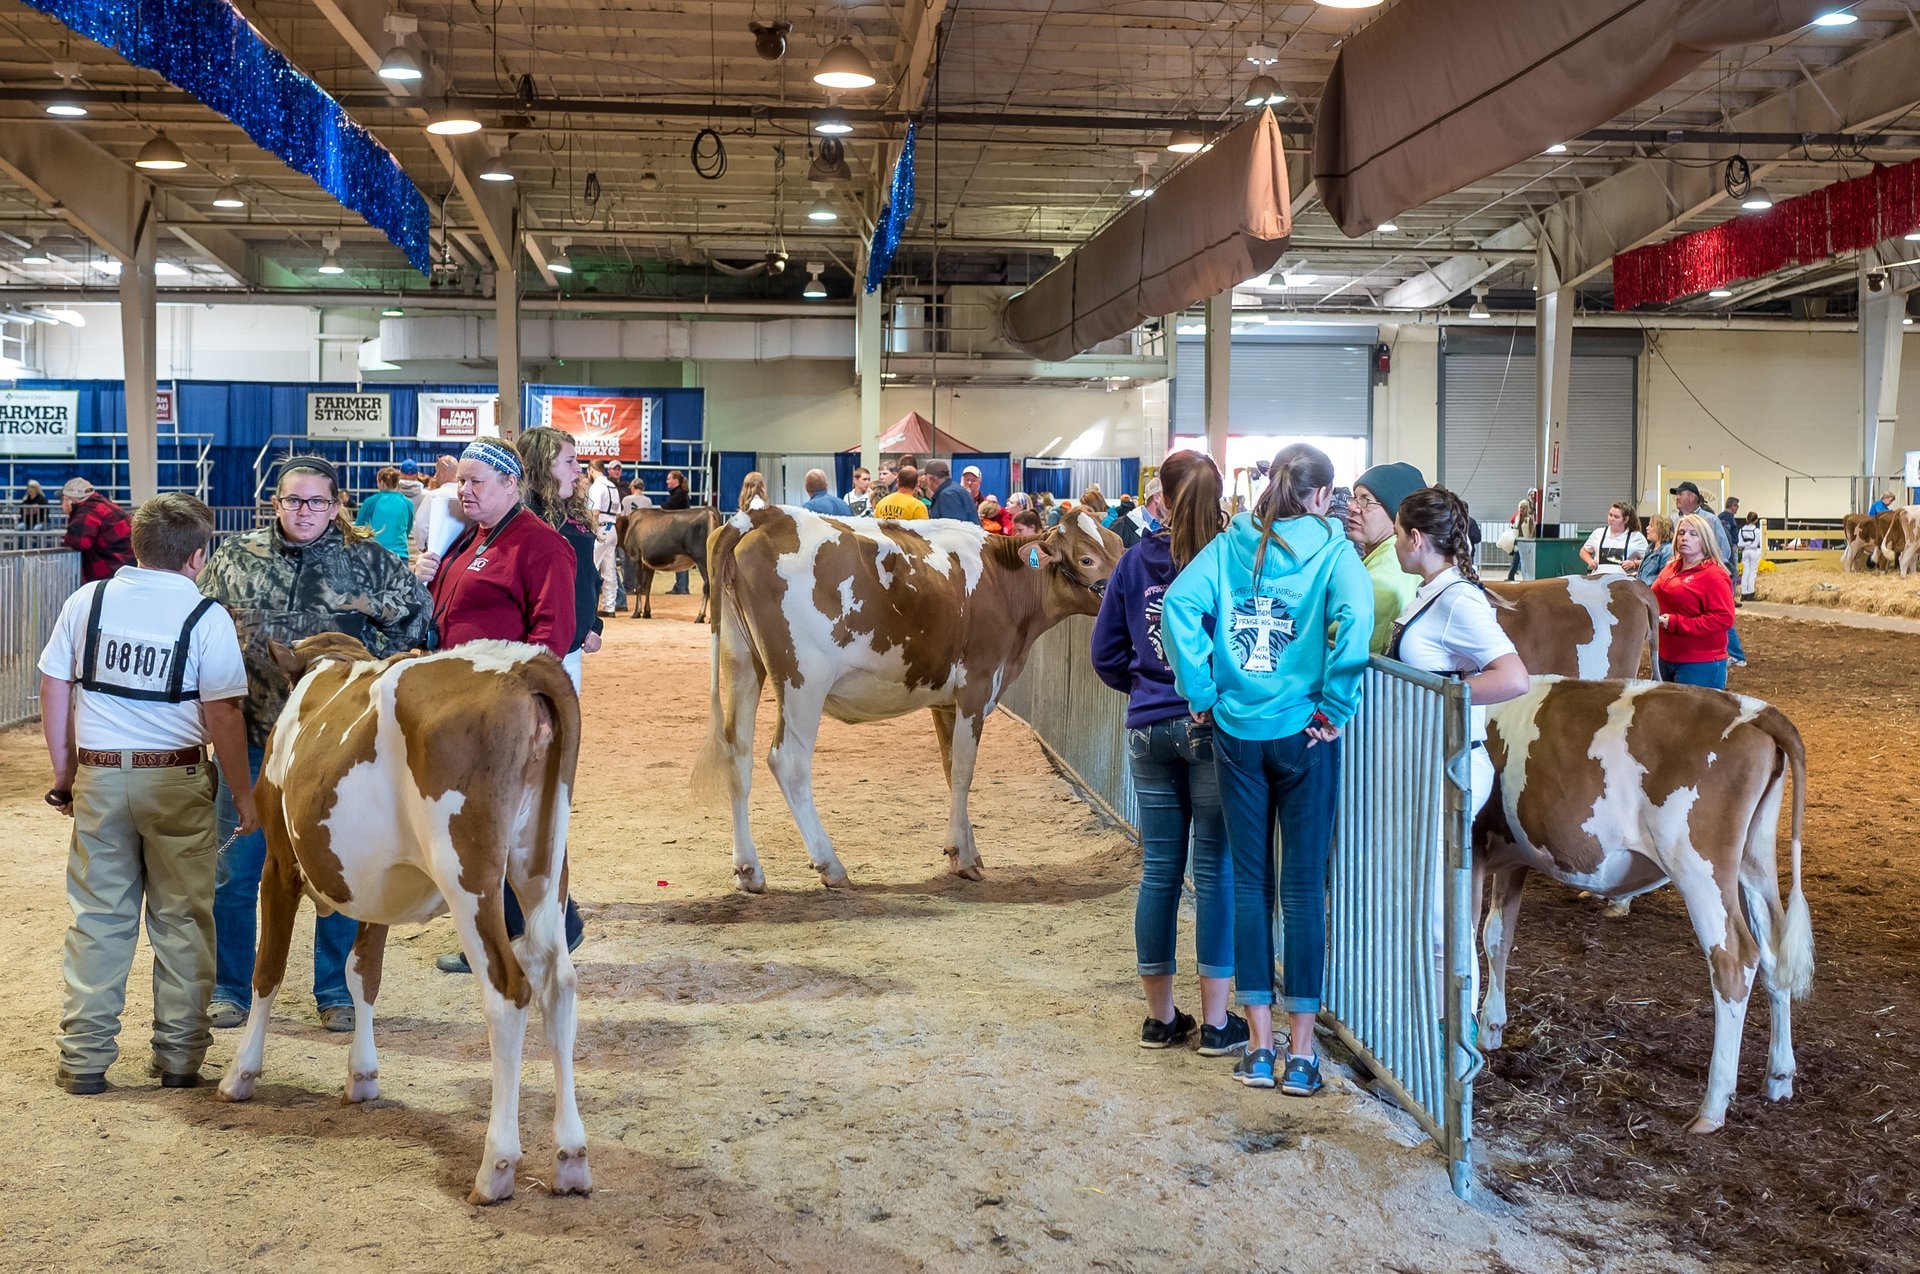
(1399,987)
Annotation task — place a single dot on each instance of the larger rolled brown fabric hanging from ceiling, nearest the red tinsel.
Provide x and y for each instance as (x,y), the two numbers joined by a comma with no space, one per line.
(1443,93)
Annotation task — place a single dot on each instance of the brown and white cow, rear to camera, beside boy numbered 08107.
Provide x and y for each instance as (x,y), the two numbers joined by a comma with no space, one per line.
(406,788)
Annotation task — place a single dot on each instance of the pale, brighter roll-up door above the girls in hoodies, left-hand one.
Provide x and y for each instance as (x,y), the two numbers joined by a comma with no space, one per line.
(1282,387)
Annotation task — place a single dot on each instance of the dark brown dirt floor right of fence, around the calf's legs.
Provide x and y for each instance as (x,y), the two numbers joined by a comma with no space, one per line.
(1612,1022)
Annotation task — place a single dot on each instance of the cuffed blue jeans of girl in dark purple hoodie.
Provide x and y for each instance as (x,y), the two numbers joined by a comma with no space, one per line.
(1176,790)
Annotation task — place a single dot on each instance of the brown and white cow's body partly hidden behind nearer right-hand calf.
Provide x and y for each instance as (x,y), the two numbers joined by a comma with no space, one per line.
(1579,626)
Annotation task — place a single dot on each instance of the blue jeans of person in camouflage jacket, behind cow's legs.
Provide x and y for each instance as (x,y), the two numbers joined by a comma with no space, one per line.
(237,916)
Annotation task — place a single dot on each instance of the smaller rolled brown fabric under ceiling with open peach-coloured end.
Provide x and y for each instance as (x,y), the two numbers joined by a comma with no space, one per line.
(1222,220)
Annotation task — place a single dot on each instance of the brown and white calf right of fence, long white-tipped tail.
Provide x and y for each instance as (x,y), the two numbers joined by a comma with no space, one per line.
(1621,788)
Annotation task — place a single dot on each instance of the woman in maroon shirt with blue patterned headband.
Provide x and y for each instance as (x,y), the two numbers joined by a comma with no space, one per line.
(510,577)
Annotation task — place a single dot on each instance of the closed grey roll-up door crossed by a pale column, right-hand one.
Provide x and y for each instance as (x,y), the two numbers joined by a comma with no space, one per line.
(1489,433)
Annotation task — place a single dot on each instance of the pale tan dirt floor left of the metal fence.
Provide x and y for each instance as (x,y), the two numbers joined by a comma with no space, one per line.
(915,1073)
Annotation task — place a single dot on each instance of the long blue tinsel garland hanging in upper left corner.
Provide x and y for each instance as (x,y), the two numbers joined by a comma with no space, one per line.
(210,51)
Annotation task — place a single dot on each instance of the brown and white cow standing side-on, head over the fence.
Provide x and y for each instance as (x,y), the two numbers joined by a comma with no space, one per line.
(865,621)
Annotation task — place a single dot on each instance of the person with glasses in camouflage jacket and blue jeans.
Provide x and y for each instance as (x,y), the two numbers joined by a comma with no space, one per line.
(310,573)
